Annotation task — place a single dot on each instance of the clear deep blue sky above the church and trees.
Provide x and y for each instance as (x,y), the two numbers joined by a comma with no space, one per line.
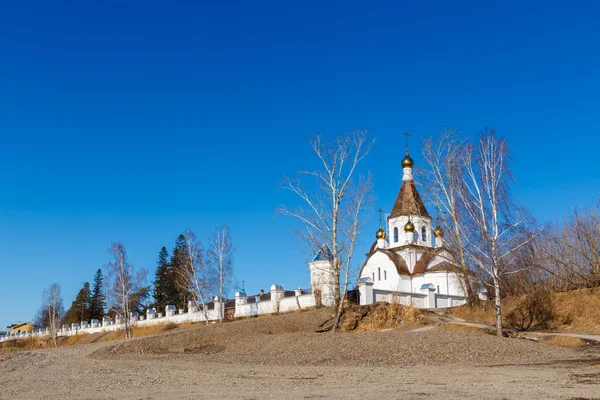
(133,121)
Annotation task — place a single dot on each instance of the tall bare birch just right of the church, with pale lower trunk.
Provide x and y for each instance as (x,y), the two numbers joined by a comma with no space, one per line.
(494,227)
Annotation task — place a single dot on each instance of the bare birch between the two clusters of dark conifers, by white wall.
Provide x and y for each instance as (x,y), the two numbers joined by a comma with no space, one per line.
(125,281)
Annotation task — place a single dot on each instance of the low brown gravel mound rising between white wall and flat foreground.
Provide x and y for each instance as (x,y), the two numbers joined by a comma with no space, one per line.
(291,339)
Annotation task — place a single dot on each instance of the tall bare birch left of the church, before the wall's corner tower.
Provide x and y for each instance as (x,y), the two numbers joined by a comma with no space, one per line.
(333,203)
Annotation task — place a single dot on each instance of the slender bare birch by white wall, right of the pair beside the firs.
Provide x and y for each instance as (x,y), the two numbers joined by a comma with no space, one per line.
(220,260)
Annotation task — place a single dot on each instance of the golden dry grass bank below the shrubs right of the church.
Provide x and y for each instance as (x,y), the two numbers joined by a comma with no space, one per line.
(575,311)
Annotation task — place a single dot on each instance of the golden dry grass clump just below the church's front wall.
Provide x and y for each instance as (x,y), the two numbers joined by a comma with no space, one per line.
(379,316)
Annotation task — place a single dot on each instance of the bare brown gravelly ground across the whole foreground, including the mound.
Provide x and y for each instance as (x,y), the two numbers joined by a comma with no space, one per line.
(282,357)
